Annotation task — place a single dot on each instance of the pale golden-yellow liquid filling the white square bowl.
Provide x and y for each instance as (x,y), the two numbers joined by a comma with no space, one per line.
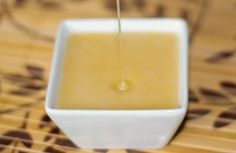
(91,72)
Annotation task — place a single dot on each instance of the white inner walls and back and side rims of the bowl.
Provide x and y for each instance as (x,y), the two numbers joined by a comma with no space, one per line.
(176,26)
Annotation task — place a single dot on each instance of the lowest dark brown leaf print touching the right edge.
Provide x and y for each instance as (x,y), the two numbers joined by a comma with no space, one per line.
(225,118)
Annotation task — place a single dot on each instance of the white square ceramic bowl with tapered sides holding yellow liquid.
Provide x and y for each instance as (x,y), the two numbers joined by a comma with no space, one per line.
(118,128)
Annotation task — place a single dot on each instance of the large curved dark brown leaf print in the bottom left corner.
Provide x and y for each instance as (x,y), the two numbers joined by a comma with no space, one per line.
(21,135)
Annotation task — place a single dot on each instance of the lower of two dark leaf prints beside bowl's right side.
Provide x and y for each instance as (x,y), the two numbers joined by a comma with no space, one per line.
(196,113)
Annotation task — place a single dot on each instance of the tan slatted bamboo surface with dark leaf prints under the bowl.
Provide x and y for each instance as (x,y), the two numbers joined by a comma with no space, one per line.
(27,30)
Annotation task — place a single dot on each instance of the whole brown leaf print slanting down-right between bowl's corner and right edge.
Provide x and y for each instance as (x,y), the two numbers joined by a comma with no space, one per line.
(214,96)
